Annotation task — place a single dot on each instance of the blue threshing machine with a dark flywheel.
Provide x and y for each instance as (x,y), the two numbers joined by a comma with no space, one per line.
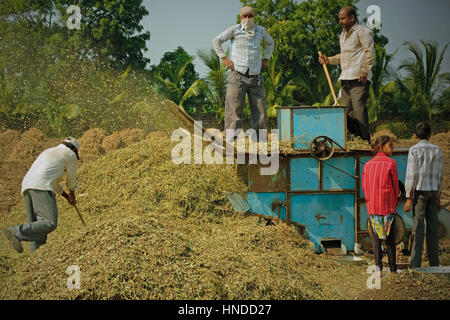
(318,185)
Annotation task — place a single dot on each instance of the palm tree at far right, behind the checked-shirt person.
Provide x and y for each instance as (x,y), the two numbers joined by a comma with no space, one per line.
(424,82)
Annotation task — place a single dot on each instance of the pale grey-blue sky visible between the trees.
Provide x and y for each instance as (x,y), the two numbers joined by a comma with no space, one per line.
(193,24)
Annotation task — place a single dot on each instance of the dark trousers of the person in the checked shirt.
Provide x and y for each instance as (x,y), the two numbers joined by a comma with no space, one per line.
(425,210)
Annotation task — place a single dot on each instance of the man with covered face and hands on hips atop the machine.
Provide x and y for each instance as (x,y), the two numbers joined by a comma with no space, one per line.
(246,68)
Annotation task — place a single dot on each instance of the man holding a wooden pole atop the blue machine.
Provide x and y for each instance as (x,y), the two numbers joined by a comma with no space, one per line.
(356,59)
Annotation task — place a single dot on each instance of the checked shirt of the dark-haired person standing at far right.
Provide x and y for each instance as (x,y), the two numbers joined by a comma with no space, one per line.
(424,168)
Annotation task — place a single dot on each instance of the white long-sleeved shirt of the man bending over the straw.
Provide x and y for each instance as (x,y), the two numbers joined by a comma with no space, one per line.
(49,168)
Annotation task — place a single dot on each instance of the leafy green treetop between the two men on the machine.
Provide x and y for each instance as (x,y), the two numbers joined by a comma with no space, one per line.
(300,30)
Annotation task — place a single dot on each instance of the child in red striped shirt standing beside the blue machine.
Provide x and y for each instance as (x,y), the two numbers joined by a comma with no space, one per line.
(381,190)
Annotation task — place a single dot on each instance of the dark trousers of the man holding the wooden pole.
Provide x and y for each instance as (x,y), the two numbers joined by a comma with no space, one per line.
(354,94)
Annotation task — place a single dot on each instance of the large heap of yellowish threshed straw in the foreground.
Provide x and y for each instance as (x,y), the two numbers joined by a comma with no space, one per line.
(156,230)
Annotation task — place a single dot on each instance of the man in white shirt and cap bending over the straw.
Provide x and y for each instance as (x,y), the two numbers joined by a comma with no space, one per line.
(39,188)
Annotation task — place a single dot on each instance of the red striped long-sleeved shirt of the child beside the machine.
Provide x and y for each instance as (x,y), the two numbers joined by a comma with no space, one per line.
(380,185)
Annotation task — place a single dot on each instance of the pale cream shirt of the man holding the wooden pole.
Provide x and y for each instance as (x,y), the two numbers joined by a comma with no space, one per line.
(357,53)
